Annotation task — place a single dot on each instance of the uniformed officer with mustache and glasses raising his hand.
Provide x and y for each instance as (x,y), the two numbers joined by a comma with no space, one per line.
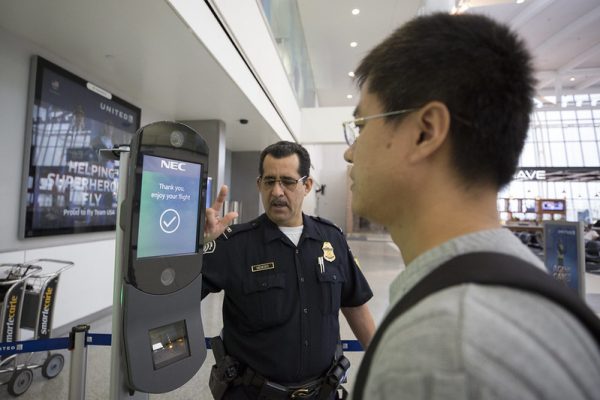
(286,275)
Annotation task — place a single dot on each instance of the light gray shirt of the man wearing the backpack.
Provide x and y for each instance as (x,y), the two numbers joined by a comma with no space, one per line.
(481,342)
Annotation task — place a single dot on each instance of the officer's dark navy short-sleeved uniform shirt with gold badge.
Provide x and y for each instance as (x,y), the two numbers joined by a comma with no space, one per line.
(281,308)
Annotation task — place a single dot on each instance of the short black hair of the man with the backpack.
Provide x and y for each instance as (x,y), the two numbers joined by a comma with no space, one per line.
(478,68)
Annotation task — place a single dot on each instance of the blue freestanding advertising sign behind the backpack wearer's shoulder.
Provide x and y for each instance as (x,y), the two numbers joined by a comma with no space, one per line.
(564,255)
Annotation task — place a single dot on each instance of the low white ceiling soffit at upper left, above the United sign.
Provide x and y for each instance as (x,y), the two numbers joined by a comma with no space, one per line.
(139,50)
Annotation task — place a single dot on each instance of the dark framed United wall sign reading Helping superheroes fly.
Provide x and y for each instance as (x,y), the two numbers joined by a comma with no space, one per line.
(67,186)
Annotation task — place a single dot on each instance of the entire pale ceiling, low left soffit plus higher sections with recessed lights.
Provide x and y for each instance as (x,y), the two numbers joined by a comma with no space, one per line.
(141,48)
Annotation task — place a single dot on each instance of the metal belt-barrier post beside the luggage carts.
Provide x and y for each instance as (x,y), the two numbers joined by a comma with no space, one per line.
(78,362)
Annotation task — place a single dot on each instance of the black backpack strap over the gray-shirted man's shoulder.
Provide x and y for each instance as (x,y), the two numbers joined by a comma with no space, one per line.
(482,268)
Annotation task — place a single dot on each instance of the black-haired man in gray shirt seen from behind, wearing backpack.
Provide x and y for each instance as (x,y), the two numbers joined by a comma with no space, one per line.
(443,116)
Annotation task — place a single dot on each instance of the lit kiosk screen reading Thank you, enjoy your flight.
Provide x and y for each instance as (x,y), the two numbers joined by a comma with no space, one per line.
(169,207)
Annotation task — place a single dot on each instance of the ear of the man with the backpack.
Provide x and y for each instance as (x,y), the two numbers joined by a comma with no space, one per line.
(433,123)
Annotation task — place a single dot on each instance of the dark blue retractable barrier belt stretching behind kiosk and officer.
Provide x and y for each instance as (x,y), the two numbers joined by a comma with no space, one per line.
(99,339)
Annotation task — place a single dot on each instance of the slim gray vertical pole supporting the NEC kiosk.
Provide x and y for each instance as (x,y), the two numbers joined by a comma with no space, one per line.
(118,389)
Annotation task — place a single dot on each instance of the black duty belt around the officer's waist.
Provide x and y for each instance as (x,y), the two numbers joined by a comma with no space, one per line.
(275,391)
